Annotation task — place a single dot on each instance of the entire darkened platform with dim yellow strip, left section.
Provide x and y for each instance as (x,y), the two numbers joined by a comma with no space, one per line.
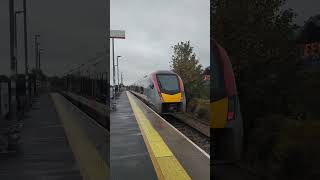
(56,139)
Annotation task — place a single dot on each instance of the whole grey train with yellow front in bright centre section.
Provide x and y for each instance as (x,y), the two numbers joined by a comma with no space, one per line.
(162,90)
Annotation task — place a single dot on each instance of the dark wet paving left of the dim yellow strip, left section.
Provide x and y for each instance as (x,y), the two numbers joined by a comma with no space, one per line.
(44,152)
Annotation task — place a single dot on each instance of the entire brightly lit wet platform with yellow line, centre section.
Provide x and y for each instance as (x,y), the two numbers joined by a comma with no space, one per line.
(144,145)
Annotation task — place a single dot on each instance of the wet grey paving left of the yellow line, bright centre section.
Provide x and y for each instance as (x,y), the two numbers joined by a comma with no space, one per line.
(129,156)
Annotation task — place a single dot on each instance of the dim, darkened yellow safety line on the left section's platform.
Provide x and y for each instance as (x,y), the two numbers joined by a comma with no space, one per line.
(92,165)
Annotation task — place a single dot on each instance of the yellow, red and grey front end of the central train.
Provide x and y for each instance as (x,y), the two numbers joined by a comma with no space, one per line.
(170,91)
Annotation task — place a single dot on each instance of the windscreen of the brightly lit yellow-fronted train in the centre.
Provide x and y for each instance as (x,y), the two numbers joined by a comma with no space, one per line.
(168,83)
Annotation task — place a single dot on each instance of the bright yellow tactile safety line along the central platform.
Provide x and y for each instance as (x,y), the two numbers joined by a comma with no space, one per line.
(165,163)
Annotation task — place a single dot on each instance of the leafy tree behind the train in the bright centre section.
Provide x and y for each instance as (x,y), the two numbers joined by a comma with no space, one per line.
(185,63)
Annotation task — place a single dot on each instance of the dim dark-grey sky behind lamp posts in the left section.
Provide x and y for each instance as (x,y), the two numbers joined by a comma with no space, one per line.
(72,31)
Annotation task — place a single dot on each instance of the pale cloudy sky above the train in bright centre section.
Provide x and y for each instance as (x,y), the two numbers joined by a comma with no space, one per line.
(152,27)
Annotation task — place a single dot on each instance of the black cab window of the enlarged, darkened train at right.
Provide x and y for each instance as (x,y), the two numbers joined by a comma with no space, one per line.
(218,90)
